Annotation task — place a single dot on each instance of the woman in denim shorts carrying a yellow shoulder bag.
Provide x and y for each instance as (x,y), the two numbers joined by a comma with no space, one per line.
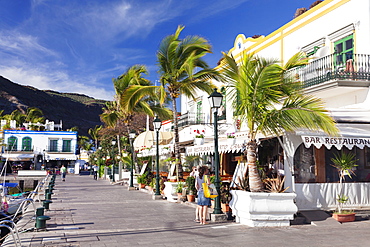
(203,202)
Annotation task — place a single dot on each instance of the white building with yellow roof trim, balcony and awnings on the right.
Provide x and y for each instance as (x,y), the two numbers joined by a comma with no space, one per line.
(335,34)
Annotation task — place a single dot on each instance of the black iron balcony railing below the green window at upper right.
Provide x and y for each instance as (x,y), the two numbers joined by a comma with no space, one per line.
(334,67)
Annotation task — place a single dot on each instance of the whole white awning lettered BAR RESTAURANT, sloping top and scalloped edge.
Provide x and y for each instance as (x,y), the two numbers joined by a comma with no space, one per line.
(351,135)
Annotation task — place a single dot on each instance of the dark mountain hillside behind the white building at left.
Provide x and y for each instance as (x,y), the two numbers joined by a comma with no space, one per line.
(73,109)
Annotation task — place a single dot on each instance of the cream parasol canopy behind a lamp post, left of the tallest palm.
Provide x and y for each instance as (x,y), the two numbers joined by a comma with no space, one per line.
(147,139)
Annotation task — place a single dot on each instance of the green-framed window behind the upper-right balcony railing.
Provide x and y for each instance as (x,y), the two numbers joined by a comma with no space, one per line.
(343,50)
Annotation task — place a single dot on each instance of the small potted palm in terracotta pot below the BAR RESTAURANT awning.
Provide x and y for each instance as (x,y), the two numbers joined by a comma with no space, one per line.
(344,163)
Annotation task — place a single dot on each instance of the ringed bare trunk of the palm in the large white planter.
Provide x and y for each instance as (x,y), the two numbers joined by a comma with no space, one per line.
(255,183)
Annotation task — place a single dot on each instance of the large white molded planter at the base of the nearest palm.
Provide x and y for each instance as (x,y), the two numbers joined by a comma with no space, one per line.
(259,209)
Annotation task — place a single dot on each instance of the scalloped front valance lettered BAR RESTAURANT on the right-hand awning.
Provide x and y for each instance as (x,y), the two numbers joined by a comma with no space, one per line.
(337,142)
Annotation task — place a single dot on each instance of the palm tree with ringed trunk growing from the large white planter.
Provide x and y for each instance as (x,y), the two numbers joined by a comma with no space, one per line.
(268,101)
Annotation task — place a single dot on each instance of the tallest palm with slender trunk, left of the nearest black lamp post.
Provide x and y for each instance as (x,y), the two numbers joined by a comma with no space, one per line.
(182,70)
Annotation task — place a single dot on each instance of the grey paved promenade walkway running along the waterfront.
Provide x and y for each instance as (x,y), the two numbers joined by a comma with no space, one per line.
(86,212)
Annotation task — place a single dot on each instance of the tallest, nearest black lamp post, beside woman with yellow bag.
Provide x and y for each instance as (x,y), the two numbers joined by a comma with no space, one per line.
(215,100)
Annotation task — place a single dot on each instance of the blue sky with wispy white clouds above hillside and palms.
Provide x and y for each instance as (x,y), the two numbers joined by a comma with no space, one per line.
(79,46)
